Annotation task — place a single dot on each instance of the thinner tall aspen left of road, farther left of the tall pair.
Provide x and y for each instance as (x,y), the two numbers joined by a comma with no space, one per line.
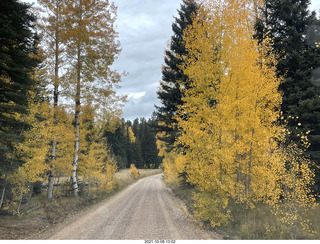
(52,26)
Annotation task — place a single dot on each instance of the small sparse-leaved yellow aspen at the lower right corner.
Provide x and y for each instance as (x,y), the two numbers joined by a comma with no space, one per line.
(294,186)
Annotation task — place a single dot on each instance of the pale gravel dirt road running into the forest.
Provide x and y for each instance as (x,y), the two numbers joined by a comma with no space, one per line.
(146,210)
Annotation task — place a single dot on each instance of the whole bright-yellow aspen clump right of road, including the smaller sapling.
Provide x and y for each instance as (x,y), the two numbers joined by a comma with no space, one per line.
(230,130)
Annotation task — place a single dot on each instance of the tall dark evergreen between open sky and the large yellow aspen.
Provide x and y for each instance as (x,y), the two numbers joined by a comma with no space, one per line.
(169,92)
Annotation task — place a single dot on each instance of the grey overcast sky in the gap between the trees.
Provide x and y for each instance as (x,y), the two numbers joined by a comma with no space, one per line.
(144,28)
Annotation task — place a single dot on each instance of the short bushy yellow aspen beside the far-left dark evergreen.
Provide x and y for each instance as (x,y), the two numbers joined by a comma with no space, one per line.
(33,151)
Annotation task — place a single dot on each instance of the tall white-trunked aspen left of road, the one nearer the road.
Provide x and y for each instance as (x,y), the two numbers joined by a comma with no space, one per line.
(92,48)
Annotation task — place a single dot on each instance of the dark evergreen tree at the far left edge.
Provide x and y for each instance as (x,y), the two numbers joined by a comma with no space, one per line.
(17,43)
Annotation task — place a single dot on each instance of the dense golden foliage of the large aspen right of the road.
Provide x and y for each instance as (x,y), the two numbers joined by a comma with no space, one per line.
(232,105)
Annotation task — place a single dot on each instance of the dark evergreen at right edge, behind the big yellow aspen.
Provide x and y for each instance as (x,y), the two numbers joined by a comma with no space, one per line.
(291,27)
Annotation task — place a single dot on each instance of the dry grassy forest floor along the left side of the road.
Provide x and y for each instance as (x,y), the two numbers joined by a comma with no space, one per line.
(28,225)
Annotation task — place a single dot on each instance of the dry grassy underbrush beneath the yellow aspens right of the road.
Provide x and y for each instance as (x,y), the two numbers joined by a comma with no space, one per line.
(254,224)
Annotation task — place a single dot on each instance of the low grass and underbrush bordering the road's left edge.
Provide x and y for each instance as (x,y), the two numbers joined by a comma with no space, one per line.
(37,214)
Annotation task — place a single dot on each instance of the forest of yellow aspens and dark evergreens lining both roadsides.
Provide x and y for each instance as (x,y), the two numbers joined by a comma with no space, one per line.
(238,127)
